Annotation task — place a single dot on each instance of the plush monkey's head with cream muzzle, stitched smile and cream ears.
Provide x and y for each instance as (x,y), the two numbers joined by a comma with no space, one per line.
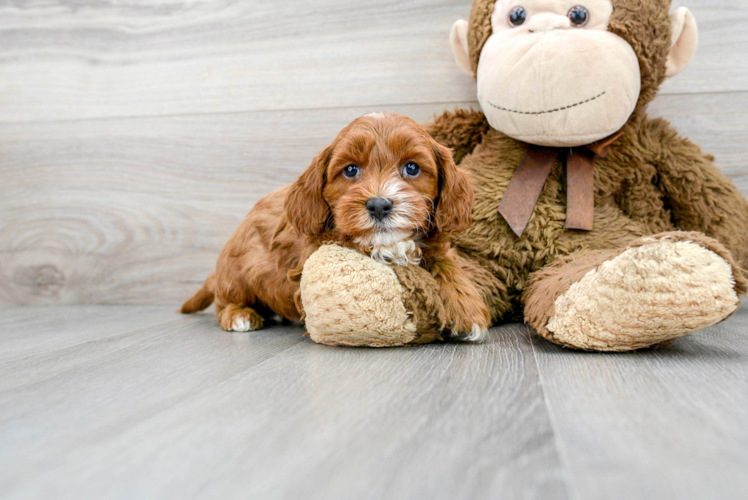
(567,73)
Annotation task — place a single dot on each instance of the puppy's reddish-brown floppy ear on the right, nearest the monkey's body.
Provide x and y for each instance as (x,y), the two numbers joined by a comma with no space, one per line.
(456,196)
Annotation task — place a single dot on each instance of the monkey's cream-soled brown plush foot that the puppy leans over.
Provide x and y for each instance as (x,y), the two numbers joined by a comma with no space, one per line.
(351,299)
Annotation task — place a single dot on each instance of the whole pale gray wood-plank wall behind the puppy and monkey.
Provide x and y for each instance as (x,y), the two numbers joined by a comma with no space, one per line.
(136,134)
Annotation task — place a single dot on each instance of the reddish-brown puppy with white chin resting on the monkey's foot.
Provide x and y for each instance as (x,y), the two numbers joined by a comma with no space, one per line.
(384,187)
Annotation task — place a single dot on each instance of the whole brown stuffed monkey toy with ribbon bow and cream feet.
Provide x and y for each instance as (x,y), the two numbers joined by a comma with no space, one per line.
(600,227)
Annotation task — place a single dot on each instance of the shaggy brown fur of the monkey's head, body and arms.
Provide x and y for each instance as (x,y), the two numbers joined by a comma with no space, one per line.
(652,181)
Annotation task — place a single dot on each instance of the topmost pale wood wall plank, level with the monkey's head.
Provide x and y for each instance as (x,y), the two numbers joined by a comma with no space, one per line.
(61,60)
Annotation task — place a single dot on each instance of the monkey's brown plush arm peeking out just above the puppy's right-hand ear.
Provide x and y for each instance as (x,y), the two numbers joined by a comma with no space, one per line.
(460,130)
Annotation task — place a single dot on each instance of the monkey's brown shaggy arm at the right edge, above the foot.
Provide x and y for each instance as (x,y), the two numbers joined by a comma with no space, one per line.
(700,196)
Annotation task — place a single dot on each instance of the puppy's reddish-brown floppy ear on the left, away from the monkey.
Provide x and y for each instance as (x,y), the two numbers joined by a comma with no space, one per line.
(306,208)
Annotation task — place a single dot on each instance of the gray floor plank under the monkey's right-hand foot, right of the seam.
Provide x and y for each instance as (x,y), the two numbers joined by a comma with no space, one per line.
(668,423)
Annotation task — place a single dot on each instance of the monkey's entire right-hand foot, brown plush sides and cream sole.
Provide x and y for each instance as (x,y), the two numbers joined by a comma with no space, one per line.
(656,289)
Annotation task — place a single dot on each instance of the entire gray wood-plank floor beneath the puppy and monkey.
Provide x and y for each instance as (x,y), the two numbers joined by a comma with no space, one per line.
(138,402)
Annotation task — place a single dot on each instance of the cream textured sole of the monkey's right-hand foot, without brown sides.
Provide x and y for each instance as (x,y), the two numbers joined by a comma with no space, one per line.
(648,294)
